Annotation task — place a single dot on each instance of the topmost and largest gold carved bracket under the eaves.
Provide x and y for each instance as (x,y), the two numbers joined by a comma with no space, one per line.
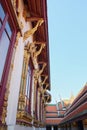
(33,30)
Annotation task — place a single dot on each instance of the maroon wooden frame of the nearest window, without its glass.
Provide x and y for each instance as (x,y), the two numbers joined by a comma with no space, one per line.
(9,17)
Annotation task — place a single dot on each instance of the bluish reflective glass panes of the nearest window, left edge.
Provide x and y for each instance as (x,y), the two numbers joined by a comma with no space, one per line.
(5,38)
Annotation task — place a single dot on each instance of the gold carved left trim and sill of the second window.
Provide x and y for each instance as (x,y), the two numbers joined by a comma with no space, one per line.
(22,115)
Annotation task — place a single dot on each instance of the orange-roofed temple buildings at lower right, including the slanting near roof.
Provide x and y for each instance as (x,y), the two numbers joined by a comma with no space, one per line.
(68,114)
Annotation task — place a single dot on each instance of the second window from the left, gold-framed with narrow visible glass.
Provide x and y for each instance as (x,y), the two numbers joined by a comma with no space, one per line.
(26,85)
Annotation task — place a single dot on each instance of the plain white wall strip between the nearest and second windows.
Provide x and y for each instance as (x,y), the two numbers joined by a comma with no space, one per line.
(15,84)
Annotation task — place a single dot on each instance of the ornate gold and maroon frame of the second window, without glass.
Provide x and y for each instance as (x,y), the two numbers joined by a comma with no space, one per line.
(21,110)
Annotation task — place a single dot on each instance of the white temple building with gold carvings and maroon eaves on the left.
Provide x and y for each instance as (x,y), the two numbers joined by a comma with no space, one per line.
(24,64)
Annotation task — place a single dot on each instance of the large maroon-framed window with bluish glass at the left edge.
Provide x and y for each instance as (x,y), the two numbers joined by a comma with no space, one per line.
(8,31)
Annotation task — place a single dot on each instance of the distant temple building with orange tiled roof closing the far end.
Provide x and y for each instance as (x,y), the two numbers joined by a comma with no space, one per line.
(55,112)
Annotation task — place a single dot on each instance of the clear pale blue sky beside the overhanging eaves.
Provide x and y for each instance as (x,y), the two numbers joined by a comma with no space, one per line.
(67,26)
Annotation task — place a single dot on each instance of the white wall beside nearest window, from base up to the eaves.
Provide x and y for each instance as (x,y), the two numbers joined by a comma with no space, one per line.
(16,74)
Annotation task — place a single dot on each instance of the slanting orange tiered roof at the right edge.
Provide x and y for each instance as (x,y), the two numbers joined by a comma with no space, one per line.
(78,109)
